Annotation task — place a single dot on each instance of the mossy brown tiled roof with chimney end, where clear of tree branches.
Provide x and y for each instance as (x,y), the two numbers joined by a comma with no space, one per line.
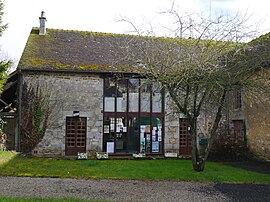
(94,51)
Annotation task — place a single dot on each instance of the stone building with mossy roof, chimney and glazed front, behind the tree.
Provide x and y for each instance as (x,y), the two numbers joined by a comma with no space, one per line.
(96,103)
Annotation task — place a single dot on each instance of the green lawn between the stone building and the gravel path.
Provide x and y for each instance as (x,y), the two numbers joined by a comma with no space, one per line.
(159,169)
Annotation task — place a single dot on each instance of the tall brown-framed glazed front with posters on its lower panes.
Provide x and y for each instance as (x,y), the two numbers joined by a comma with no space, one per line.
(133,116)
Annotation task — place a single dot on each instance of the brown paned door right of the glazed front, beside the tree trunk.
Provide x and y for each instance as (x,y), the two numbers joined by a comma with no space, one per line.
(184,138)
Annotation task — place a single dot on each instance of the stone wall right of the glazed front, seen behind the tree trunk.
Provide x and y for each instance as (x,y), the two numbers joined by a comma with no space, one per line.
(204,124)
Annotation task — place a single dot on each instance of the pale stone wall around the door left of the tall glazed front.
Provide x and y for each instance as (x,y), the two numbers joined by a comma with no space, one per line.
(69,93)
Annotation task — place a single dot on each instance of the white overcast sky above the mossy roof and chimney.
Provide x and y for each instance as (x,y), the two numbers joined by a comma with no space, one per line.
(102,16)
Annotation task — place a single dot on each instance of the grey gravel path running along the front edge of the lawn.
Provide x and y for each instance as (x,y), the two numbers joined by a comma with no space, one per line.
(130,190)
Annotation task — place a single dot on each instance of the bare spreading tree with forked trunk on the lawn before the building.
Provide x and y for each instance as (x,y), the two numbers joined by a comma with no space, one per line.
(203,61)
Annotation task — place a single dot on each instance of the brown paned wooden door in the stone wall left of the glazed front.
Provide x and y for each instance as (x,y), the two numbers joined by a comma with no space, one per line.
(75,135)
